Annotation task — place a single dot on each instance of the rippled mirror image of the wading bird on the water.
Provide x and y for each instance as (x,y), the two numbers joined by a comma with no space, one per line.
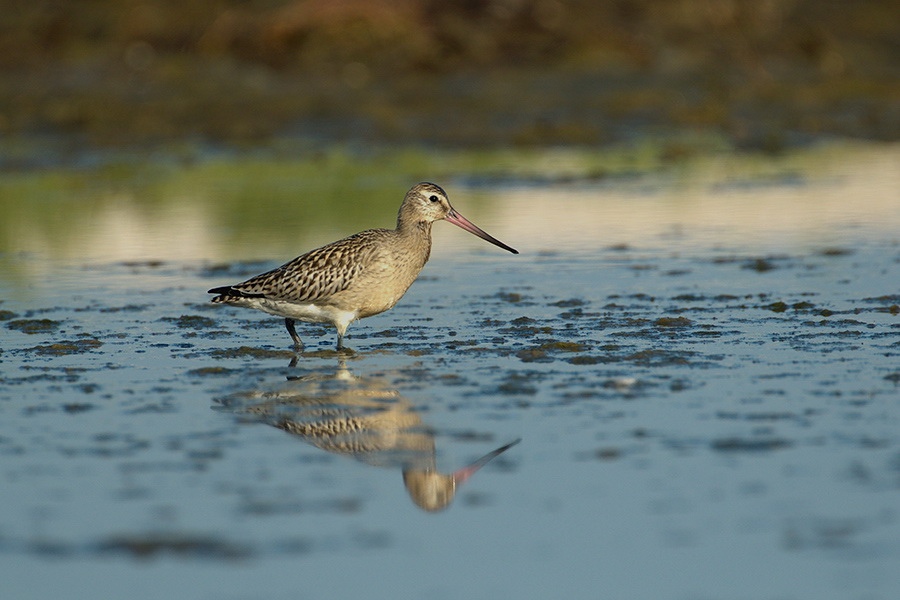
(347,415)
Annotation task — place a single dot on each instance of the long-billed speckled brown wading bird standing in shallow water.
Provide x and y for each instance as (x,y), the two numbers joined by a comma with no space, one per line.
(359,276)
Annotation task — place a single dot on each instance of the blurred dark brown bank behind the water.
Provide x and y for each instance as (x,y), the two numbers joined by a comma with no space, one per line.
(762,74)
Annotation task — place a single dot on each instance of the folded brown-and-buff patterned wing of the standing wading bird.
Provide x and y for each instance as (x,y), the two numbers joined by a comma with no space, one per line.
(316,275)
